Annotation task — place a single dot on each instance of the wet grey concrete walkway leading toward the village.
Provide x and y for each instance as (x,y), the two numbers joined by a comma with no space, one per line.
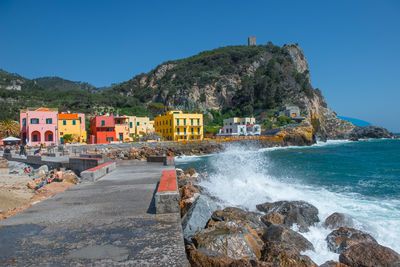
(111,222)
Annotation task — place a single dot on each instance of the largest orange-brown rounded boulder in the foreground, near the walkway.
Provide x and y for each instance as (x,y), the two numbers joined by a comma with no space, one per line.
(236,241)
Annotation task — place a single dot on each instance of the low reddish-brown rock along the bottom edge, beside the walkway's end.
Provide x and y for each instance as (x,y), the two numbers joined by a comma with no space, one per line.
(207,258)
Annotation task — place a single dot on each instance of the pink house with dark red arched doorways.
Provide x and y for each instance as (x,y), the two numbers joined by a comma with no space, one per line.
(39,126)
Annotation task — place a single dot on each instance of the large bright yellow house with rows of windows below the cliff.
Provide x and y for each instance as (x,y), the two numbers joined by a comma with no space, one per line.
(177,126)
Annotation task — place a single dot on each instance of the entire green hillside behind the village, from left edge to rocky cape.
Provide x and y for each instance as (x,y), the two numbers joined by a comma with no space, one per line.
(227,81)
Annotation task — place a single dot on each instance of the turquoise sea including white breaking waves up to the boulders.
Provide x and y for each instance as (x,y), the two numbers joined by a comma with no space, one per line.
(361,179)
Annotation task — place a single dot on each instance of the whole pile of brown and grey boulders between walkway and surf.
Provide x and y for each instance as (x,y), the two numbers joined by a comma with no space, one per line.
(231,236)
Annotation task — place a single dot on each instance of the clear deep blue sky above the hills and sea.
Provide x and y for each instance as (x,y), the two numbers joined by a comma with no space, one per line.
(351,46)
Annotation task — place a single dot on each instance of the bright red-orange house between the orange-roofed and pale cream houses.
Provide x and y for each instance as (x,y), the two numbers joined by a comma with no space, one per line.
(102,129)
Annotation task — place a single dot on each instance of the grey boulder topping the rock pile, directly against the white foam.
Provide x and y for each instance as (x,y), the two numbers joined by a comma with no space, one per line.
(294,212)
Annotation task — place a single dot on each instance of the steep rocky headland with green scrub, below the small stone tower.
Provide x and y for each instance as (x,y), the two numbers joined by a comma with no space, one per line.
(242,78)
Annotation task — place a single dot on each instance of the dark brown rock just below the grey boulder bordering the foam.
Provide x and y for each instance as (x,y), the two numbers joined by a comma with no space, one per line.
(281,234)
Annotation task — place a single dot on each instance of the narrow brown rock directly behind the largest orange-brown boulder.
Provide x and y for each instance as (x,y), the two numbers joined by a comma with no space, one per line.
(238,216)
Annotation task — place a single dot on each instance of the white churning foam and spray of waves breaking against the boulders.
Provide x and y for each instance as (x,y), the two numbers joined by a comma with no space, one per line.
(241,178)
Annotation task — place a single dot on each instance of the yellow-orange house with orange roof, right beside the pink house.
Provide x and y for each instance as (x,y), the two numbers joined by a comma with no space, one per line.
(72,124)
